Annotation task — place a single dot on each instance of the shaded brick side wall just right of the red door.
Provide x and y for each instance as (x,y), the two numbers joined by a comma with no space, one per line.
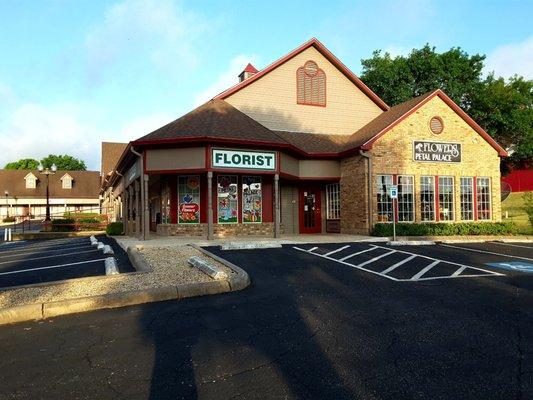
(354,195)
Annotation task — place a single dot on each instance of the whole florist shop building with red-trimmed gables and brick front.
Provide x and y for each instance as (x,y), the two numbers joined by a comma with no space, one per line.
(304,146)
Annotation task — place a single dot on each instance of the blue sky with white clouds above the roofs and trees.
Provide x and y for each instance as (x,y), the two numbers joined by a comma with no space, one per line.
(74,73)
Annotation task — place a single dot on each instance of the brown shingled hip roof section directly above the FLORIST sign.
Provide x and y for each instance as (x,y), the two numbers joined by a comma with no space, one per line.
(215,119)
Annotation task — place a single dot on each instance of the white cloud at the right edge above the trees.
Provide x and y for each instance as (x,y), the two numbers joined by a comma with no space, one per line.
(511,59)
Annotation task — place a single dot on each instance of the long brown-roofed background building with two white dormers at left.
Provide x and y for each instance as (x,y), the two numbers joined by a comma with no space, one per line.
(24,192)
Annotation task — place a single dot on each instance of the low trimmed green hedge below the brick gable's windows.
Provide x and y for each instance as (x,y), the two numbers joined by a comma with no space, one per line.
(447,229)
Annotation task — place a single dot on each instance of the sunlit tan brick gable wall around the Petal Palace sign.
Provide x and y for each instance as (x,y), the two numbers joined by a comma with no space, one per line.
(393,154)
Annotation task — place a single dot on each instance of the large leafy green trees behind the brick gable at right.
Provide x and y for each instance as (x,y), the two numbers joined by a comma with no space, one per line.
(503,109)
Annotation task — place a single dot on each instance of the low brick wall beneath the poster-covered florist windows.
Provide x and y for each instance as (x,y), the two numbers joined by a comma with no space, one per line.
(219,230)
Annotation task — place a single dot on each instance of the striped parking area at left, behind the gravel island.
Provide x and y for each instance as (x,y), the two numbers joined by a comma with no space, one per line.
(39,261)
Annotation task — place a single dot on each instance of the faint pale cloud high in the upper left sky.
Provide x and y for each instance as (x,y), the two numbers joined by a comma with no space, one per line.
(158,31)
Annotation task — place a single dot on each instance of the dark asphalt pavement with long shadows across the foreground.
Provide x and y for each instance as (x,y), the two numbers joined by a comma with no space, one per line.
(308,327)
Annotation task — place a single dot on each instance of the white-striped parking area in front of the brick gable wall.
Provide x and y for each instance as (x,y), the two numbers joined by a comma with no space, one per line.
(424,263)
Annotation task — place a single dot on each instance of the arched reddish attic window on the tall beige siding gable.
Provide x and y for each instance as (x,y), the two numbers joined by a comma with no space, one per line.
(311,85)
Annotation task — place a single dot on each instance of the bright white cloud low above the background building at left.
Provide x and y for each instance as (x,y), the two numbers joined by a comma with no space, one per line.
(34,131)
